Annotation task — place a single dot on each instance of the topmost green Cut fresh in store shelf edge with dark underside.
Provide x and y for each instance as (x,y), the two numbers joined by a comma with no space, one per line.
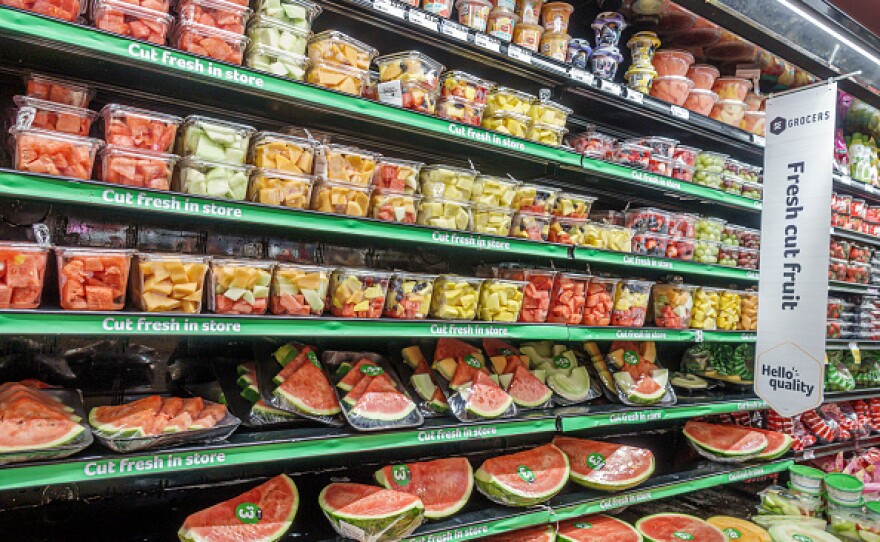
(167,70)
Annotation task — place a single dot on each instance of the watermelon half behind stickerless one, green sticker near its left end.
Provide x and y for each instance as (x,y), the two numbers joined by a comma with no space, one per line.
(444,485)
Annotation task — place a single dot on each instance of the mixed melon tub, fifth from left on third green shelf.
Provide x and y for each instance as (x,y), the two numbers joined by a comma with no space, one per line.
(300,290)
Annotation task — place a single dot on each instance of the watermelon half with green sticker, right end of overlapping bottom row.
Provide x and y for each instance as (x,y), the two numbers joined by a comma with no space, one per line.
(605,465)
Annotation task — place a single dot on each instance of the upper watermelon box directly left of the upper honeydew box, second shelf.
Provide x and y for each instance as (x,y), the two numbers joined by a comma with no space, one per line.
(134,128)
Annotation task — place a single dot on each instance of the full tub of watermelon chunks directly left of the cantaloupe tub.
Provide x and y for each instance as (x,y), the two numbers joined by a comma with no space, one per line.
(93,279)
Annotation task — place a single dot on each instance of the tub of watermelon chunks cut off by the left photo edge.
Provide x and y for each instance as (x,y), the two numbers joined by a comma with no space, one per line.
(22,272)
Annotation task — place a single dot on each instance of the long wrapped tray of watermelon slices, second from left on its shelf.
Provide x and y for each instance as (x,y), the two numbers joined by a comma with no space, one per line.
(160,422)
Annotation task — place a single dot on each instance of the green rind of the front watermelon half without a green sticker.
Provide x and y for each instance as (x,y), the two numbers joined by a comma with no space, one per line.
(388,527)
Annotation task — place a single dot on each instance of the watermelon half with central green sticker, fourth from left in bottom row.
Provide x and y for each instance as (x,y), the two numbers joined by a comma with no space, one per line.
(524,478)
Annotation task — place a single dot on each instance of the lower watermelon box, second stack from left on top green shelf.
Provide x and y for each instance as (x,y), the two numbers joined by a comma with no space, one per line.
(127,19)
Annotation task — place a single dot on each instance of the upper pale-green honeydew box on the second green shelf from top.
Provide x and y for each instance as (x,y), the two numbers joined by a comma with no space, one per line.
(214,140)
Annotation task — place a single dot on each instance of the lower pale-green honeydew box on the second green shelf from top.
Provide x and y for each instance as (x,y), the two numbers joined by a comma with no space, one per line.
(214,179)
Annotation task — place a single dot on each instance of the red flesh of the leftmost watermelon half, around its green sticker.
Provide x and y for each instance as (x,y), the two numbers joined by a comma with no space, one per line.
(277,501)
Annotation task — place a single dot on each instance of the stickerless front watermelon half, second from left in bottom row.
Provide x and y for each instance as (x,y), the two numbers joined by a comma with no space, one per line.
(369,513)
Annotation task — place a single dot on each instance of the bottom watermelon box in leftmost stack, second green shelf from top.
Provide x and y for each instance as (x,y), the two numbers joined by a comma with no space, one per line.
(54,153)
